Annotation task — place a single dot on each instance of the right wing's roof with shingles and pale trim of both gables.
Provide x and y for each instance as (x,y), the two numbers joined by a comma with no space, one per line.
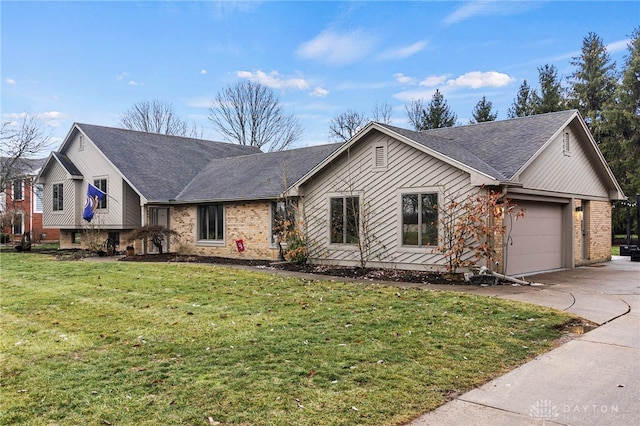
(493,152)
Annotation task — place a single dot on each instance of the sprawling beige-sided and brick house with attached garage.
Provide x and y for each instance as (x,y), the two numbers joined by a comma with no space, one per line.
(386,184)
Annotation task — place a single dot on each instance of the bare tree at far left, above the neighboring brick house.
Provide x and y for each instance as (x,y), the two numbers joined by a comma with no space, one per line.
(20,142)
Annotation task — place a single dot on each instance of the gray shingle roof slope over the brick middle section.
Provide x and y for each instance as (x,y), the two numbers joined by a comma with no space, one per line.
(258,176)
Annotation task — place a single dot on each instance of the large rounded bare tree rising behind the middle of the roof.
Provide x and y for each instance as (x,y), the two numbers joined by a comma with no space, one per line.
(249,113)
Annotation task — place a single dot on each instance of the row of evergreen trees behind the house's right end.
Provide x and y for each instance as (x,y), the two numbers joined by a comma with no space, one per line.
(607,98)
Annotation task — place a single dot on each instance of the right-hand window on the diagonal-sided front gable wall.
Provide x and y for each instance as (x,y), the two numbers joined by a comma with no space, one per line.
(420,219)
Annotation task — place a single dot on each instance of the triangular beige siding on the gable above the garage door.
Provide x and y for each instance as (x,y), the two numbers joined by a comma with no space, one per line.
(571,173)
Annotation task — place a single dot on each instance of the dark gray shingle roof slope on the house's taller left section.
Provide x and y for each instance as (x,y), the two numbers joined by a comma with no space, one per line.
(159,166)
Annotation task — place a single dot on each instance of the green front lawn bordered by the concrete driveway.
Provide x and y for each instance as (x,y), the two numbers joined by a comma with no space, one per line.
(132,343)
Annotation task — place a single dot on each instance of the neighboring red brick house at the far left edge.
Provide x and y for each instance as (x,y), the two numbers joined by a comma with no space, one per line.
(21,204)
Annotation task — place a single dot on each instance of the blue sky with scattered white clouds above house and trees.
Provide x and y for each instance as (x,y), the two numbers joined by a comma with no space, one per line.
(89,61)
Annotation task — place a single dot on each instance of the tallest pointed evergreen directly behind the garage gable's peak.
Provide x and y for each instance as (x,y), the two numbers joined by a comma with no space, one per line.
(593,83)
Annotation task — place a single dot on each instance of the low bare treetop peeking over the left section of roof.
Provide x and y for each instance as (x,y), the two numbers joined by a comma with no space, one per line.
(156,117)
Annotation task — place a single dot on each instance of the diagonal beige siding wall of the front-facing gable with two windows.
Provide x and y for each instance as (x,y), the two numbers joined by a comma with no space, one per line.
(380,190)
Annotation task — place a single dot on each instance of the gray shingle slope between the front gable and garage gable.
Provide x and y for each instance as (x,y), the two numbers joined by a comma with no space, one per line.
(505,145)
